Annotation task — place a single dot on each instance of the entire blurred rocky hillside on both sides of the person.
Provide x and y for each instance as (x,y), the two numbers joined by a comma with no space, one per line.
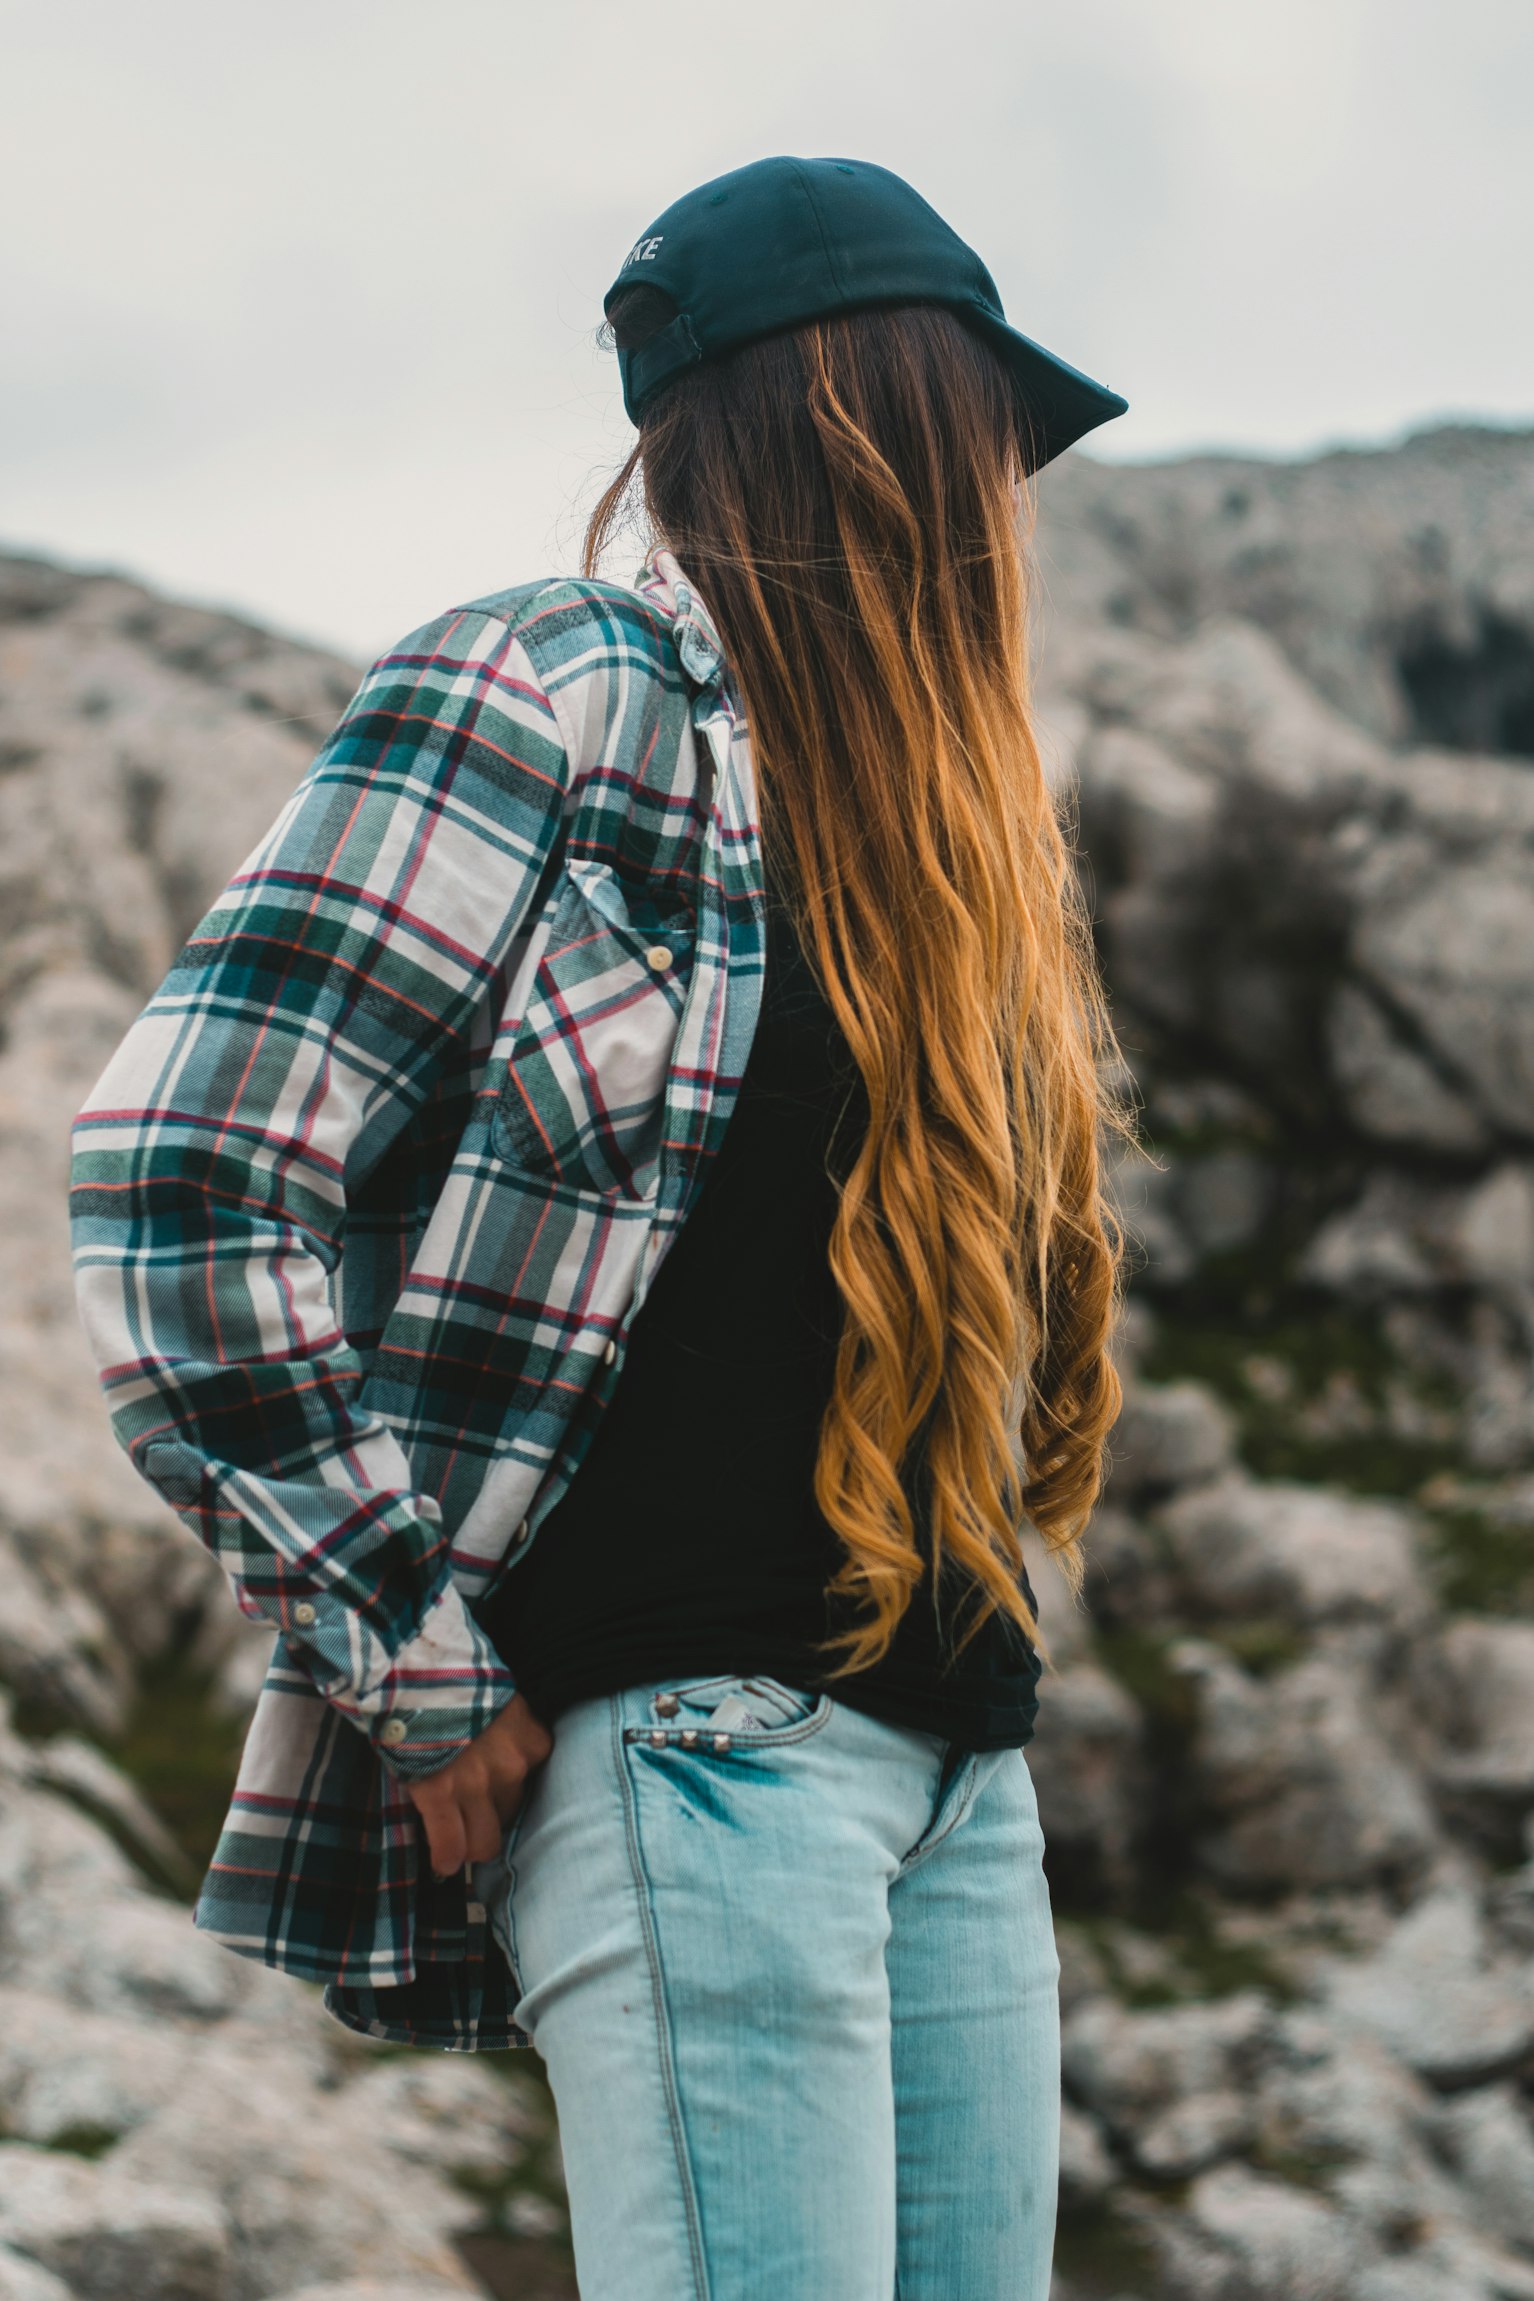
(1289,1745)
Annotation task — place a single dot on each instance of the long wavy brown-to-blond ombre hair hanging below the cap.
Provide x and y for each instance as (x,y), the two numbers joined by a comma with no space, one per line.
(847,500)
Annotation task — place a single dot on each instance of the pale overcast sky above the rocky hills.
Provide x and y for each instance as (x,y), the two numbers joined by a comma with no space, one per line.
(300,298)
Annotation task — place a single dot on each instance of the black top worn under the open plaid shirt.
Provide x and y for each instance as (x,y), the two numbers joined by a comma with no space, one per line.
(689,1541)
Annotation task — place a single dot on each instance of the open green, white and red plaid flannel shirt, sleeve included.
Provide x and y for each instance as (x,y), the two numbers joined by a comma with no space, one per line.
(371,1193)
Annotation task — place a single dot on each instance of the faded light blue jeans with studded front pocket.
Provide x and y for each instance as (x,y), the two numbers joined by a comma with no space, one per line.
(792,1973)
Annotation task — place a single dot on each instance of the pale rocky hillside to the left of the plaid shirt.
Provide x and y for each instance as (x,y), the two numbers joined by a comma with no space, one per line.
(176,2123)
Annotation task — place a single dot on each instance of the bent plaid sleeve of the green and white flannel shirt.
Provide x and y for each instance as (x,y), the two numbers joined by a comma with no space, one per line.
(291,1044)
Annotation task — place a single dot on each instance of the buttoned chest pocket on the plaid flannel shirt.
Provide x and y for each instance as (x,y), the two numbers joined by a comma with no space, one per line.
(585,1085)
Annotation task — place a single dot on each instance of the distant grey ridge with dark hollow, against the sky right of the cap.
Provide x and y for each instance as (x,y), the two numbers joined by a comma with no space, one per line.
(1365,565)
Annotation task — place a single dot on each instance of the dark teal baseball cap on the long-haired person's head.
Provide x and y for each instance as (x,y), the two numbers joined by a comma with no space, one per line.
(792,240)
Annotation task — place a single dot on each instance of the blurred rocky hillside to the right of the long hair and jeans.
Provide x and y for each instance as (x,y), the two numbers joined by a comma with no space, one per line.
(1289,1755)
